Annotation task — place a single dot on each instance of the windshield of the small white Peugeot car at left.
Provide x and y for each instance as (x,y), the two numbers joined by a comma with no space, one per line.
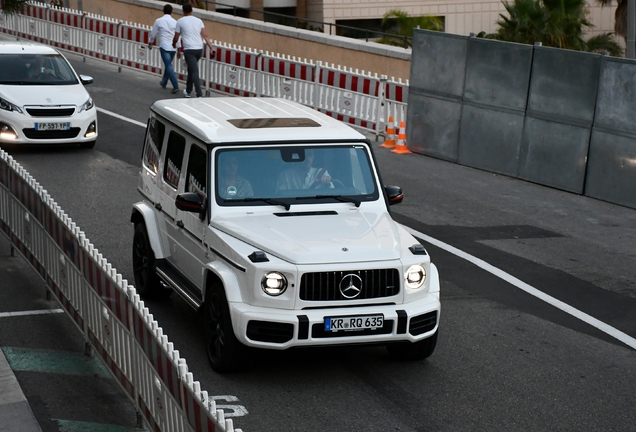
(35,69)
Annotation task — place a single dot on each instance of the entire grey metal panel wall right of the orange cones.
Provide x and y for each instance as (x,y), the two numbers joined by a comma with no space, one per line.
(559,118)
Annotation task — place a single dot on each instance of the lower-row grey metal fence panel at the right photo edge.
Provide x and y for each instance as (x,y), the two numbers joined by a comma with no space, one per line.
(611,172)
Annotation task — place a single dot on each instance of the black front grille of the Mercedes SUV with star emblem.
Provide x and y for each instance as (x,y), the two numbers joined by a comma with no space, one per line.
(326,286)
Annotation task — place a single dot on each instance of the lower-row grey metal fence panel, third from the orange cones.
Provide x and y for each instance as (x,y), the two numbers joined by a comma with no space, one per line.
(554,154)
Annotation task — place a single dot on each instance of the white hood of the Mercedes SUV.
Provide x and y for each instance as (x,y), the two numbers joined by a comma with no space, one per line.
(349,236)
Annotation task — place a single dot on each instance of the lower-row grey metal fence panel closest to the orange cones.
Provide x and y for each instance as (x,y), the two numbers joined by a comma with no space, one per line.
(433,126)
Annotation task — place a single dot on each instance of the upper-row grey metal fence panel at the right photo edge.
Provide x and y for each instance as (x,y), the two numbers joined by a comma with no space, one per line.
(615,107)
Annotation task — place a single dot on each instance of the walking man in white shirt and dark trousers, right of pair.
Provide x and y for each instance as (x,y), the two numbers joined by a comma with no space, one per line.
(192,33)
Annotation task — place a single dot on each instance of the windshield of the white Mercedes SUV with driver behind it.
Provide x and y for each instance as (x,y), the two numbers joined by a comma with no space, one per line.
(288,175)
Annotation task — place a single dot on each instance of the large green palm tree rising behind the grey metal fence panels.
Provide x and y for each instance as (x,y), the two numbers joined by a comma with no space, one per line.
(555,23)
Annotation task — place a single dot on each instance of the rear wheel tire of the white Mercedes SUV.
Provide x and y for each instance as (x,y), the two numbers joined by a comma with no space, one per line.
(147,282)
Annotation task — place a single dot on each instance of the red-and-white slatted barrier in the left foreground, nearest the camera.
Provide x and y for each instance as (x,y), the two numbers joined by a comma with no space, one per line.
(104,307)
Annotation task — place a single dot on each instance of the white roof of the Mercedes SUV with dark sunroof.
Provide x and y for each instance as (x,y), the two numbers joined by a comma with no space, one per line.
(252,119)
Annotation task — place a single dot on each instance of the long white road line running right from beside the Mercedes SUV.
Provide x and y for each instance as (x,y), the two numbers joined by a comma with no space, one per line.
(605,328)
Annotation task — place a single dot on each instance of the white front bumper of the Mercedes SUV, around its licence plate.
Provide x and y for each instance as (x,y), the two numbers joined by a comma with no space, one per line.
(283,329)
